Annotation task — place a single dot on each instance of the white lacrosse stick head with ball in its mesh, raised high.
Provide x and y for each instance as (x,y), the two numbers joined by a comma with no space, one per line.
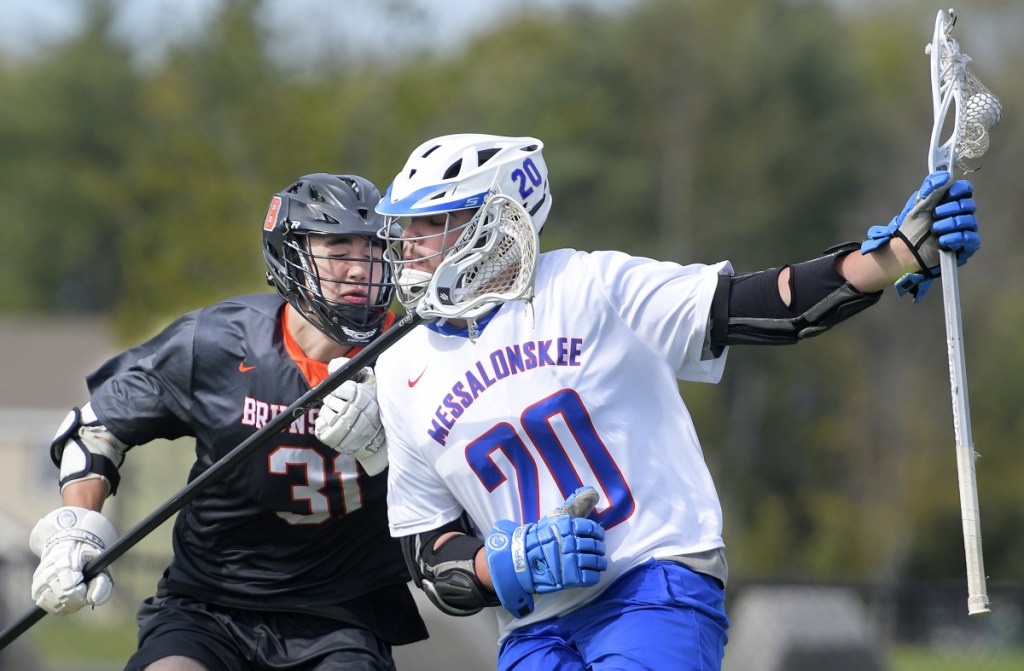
(955,88)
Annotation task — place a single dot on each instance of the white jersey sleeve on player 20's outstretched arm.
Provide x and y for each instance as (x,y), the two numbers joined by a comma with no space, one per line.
(666,306)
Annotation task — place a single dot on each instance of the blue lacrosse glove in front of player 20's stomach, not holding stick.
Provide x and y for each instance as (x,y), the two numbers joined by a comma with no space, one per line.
(561,552)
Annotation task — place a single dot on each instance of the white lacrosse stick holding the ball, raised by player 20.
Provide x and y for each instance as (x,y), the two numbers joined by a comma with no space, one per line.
(976,111)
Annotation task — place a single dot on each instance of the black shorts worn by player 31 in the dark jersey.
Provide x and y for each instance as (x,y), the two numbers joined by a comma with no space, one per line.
(236,640)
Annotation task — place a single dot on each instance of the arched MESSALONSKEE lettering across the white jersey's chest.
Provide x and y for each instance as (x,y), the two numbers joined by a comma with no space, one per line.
(496,367)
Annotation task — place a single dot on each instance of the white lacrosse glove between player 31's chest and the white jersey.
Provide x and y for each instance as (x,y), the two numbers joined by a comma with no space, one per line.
(350,421)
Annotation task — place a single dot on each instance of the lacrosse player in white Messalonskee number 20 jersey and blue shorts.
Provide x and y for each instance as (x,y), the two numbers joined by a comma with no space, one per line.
(542,460)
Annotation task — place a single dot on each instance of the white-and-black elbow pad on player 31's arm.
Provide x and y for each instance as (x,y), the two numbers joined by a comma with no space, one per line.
(84,449)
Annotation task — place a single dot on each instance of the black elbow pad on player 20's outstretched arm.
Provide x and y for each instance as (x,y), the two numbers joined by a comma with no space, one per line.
(749,310)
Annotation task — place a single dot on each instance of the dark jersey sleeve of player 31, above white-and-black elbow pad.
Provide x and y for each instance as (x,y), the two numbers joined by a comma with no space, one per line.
(145,394)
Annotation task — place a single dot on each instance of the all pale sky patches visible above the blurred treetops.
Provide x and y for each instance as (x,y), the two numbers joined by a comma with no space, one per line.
(319,28)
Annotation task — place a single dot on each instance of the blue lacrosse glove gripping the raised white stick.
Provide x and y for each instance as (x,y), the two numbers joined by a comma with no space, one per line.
(935,218)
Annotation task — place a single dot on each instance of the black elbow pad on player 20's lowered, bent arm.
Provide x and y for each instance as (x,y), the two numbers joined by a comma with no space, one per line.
(447,575)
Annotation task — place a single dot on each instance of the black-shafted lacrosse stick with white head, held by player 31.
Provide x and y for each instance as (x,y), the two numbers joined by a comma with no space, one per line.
(472,281)
